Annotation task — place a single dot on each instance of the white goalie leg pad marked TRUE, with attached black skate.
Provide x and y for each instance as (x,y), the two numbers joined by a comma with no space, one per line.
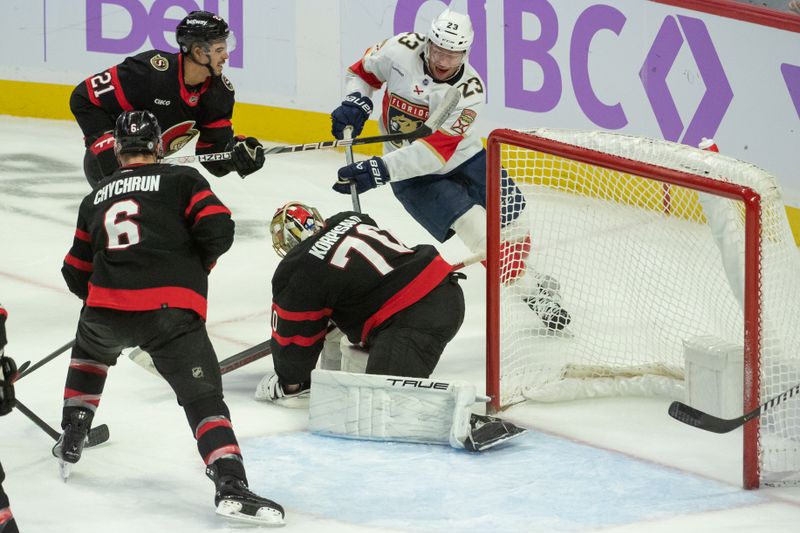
(404,409)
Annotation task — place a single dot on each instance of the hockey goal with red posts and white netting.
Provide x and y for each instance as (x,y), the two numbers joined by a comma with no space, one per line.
(652,244)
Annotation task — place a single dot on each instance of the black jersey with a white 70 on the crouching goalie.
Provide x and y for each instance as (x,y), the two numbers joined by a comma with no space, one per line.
(351,273)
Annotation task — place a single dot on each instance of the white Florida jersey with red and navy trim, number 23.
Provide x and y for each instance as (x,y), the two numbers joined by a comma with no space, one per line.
(411,93)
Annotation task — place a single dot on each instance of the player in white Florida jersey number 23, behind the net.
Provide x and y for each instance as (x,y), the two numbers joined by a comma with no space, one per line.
(440,179)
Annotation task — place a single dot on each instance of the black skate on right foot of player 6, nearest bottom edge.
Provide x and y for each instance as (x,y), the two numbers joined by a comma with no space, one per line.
(235,501)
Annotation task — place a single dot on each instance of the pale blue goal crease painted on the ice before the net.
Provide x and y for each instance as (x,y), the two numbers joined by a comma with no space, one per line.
(538,481)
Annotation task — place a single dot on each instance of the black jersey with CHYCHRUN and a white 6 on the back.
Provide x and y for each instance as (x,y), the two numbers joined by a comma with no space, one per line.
(146,238)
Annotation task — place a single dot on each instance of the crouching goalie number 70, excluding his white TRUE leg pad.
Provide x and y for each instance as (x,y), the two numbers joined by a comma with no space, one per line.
(402,304)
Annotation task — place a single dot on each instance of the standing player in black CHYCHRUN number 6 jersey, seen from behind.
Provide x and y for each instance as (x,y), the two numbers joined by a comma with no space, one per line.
(146,239)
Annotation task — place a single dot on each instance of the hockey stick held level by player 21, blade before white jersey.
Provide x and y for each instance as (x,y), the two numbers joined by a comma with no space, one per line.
(434,122)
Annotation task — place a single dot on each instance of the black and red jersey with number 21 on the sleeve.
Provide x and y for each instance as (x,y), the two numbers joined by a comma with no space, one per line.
(153,80)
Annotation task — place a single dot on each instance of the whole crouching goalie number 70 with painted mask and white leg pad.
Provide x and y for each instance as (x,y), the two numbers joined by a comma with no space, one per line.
(399,306)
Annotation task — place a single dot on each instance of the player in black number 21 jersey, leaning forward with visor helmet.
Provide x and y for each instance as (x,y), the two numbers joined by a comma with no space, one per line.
(187,92)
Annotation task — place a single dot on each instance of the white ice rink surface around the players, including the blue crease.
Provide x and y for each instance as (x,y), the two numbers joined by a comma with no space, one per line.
(612,465)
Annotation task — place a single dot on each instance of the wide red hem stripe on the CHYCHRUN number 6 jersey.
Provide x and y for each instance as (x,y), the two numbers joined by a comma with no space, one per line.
(147,299)
